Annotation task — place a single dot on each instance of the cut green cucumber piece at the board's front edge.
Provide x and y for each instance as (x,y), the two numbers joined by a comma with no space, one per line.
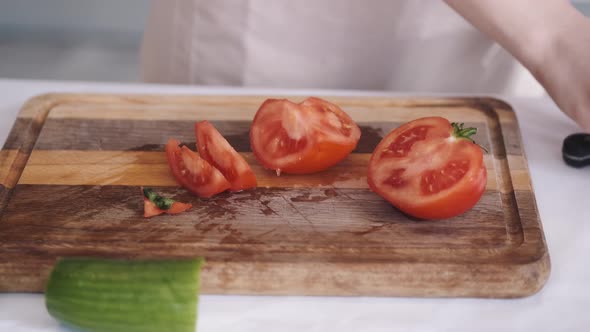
(120,295)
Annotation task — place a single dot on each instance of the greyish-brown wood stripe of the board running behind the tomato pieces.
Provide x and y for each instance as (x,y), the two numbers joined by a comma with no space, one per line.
(150,135)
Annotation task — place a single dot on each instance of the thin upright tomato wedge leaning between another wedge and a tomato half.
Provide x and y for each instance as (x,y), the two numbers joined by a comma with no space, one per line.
(214,148)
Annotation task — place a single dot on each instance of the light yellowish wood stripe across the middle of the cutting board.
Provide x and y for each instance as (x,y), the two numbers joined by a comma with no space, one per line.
(150,168)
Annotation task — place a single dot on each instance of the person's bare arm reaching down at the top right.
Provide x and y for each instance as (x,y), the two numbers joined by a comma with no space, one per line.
(549,37)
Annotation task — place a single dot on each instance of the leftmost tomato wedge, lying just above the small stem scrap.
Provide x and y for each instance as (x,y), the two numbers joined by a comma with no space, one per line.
(193,172)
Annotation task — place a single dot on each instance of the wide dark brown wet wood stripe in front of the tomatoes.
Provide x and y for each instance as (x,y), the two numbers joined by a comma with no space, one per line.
(314,215)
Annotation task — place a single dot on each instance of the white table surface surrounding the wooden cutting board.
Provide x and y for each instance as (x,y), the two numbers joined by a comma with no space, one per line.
(563,197)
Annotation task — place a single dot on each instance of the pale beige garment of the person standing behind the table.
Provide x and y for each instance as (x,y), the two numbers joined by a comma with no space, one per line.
(408,45)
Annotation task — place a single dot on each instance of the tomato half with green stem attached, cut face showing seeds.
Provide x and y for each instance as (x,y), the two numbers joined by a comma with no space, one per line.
(429,169)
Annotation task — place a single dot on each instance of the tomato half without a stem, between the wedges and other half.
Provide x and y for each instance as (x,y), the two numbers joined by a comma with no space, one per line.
(302,138)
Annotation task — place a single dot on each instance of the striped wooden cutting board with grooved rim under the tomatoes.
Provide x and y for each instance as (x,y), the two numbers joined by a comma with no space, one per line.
(72,166)
